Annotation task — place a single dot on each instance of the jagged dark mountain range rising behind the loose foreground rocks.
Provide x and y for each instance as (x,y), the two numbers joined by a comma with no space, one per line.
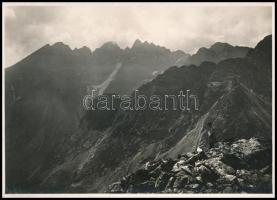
(54,145)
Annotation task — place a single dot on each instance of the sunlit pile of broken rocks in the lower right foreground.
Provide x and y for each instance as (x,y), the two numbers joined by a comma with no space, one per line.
(244,166)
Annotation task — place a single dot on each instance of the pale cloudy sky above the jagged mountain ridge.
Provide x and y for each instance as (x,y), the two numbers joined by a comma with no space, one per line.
(175,26)
